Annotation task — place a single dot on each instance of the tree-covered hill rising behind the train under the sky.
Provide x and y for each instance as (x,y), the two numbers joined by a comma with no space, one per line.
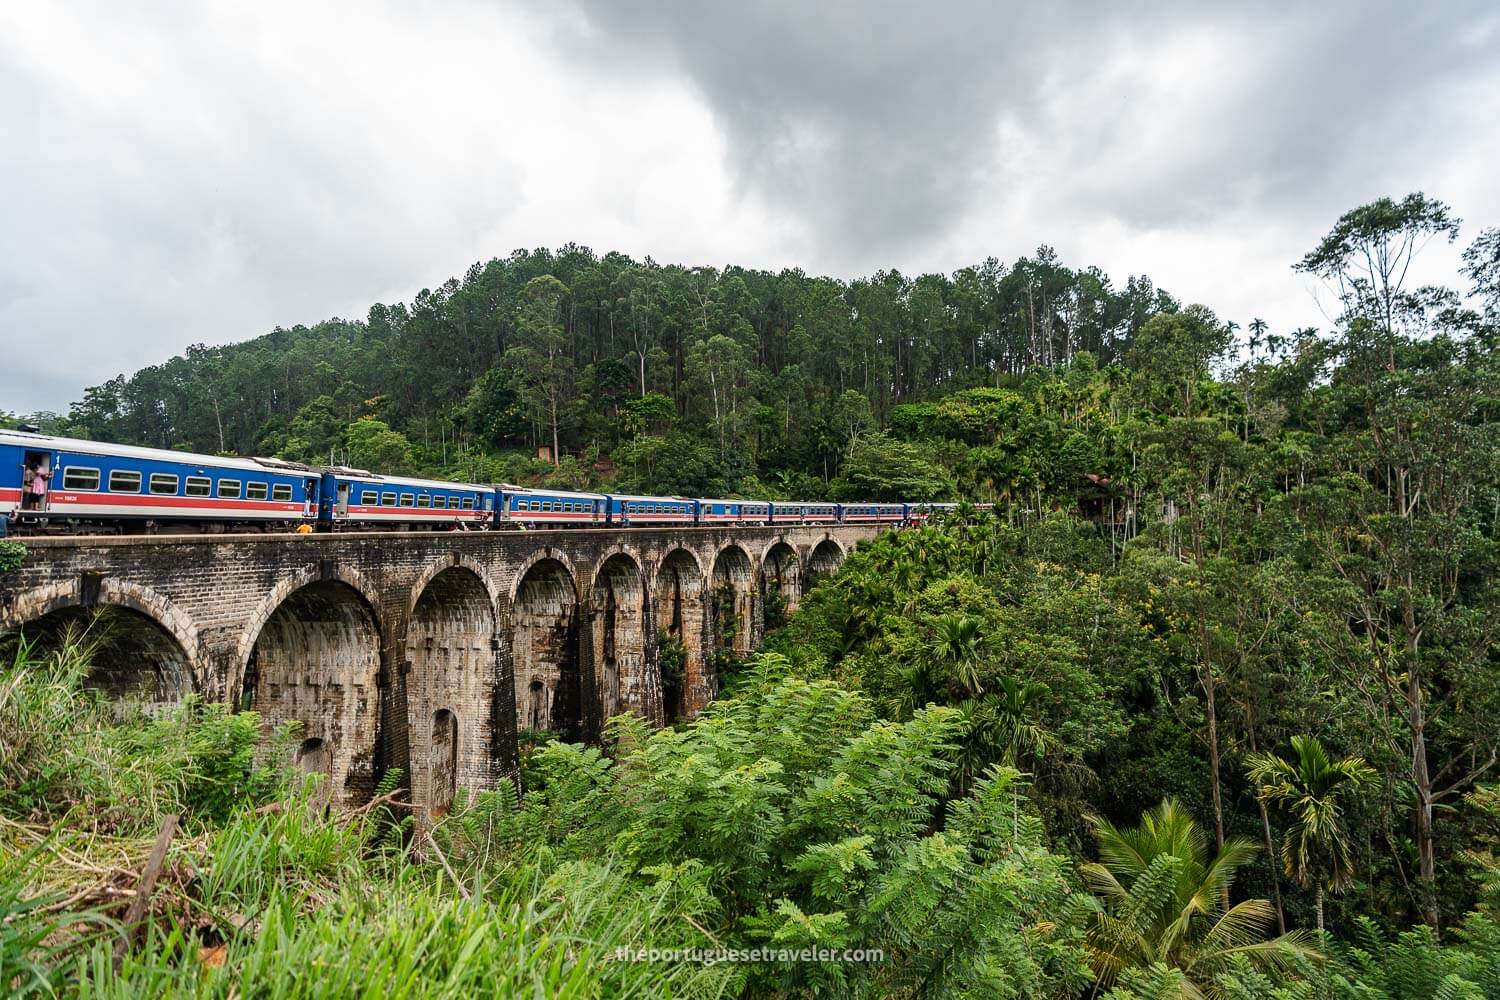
(691,380)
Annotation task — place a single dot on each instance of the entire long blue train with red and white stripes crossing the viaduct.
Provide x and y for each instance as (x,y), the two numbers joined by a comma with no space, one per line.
(67,485)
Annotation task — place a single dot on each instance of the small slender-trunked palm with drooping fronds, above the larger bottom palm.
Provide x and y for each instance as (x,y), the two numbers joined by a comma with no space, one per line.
(1315,848)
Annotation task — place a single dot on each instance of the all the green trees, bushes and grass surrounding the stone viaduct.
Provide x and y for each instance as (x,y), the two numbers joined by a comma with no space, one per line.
(1207,707)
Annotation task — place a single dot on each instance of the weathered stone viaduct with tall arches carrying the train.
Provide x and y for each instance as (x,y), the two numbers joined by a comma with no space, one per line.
(421,651)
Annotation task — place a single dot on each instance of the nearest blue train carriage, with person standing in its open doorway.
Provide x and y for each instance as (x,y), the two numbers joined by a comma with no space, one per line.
(47,482)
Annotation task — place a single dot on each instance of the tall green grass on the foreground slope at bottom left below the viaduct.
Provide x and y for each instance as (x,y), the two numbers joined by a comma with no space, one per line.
(266,893)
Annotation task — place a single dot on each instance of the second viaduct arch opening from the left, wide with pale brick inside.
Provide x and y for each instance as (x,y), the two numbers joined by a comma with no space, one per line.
(317,663)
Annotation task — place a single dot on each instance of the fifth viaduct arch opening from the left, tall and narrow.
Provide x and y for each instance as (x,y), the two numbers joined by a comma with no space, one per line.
(620,641)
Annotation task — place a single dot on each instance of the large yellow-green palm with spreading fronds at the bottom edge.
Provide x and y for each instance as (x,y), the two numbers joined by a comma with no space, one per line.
(1166,900)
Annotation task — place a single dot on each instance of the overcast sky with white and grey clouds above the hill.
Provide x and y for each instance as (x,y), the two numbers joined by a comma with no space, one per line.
(182,173)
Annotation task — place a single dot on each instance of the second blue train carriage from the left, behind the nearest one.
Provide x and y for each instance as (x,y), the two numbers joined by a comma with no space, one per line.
(355,499)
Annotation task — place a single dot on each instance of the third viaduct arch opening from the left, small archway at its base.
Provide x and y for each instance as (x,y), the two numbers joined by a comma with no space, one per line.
(451,647)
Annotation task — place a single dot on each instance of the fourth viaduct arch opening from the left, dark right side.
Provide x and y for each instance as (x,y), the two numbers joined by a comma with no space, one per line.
(550,684)
